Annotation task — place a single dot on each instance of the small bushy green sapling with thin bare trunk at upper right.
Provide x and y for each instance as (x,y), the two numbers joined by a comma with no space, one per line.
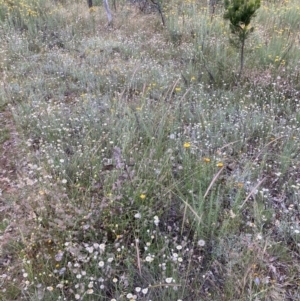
(240,14)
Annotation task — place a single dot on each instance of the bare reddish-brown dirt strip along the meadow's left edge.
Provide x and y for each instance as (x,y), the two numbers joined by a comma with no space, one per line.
(10,216)
